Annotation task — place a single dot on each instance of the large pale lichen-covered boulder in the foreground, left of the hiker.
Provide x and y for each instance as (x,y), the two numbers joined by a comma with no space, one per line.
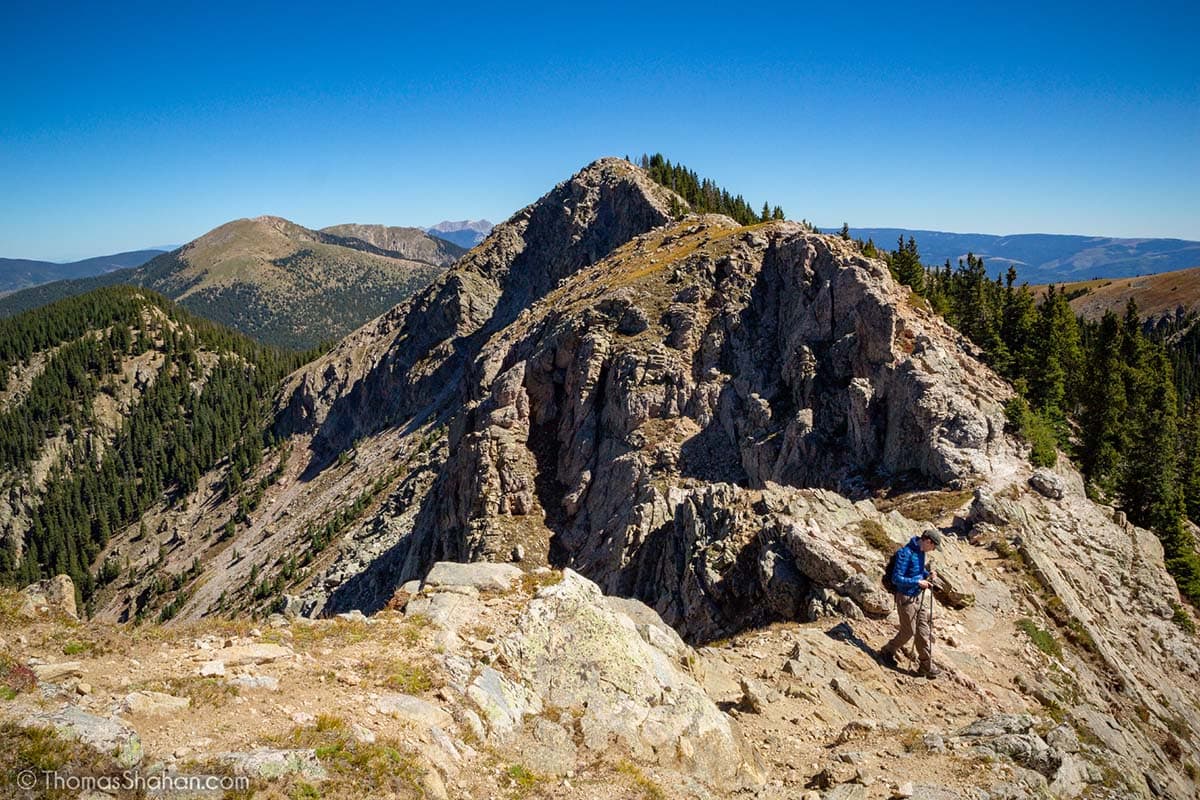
(583,679)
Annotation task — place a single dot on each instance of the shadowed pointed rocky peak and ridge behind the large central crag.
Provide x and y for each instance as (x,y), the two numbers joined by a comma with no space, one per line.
(409,363)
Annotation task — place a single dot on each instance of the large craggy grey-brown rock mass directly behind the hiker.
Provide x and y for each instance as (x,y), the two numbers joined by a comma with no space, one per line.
(776,362)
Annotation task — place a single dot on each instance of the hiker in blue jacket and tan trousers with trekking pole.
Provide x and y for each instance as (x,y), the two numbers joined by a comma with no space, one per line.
(909,579)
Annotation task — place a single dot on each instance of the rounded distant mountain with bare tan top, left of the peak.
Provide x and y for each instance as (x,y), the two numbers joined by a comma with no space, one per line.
(277,281)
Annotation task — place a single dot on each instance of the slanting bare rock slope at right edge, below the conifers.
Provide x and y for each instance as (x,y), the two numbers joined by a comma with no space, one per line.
(1105,585)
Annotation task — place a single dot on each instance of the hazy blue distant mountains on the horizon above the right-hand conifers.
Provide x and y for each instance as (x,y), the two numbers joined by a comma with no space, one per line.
(1046,258)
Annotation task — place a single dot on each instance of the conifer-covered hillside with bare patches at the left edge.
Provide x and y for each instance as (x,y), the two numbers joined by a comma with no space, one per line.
(111,402)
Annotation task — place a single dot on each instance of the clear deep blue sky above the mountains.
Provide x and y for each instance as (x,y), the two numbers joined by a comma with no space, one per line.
(127,125)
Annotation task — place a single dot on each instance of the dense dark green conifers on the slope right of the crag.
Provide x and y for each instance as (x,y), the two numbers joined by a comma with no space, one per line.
(1118,396)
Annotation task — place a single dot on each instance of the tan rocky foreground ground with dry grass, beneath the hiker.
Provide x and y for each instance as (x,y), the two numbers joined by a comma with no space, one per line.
(491,682)
